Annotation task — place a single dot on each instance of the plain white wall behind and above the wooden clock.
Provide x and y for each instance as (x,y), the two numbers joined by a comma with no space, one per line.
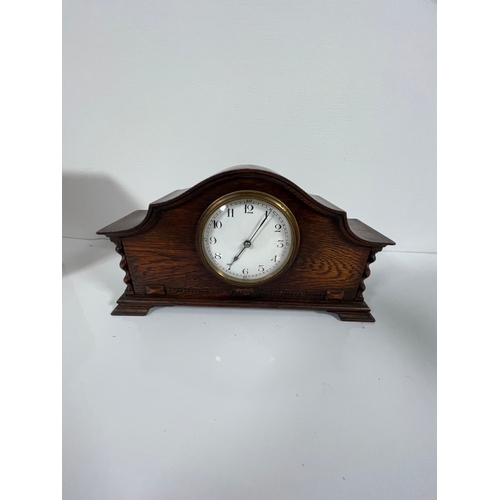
(338,96)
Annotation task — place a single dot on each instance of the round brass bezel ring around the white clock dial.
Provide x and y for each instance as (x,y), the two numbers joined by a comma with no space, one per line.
(257,195)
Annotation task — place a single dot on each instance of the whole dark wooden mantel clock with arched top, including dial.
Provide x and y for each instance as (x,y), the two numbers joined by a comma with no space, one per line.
(246,237)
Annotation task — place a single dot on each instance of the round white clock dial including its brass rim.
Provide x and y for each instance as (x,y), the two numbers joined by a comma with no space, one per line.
(248,237)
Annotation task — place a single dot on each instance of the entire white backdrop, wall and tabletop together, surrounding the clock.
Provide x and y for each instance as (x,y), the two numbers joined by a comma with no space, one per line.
(198,404)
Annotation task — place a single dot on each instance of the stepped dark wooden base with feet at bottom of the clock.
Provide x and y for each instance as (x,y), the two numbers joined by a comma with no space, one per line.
(139,305)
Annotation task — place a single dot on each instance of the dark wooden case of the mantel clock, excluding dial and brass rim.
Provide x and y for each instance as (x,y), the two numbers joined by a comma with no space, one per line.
(163,267)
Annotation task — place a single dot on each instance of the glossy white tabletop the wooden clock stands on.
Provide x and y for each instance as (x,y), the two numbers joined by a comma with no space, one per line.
(200,403)
